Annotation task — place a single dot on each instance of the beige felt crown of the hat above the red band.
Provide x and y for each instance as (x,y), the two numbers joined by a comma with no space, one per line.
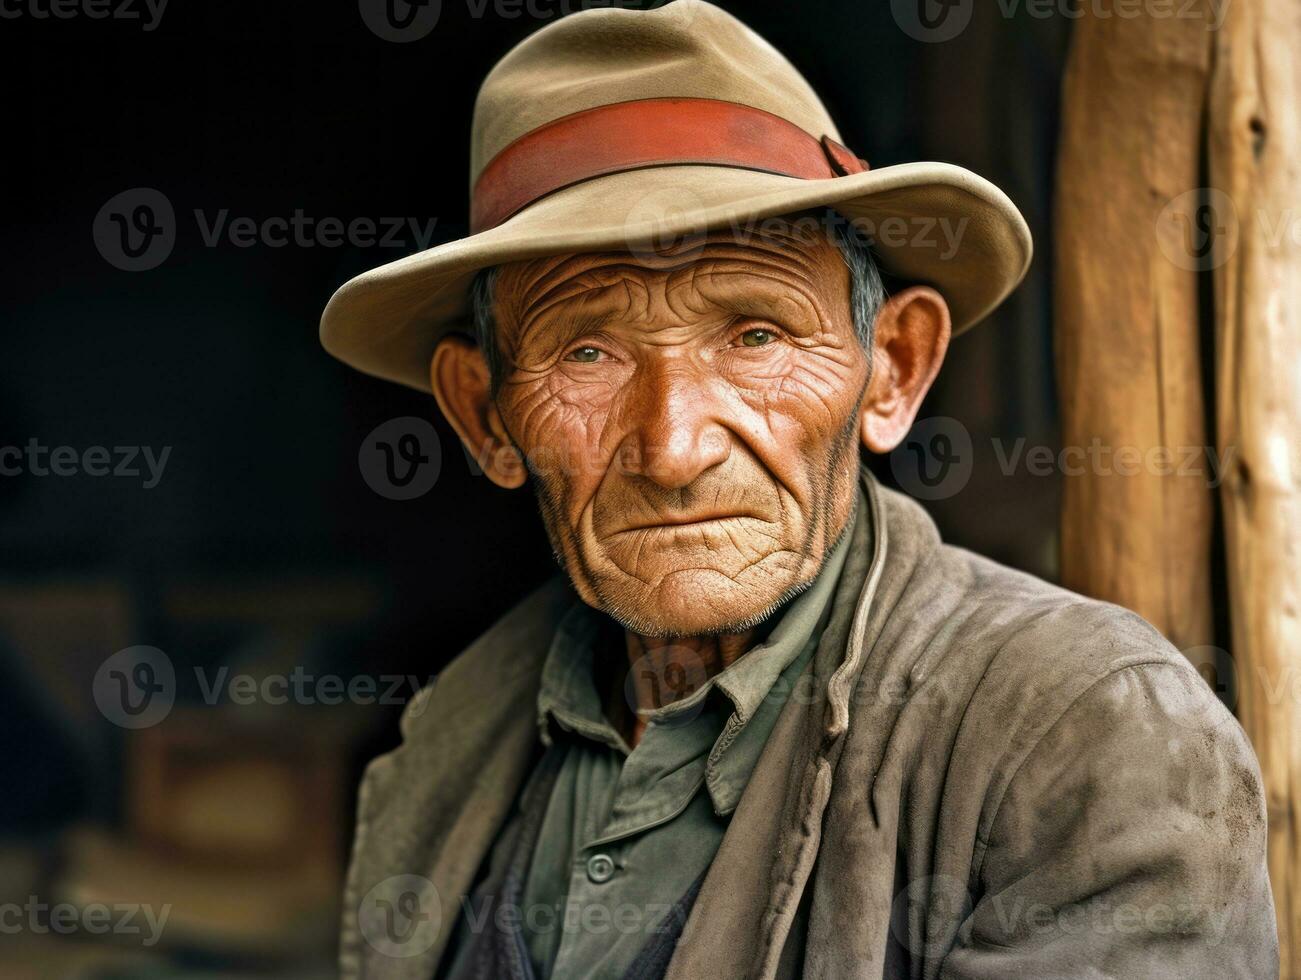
(685,50)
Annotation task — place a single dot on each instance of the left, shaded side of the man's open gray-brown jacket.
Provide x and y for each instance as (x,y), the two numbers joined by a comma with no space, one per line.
(434,806)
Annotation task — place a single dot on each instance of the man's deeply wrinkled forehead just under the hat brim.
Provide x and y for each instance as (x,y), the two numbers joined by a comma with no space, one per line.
(793,258)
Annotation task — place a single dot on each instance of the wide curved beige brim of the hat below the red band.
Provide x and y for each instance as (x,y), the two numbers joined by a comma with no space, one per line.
(930,223)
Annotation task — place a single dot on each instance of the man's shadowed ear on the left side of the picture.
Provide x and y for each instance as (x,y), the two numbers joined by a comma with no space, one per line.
(459,374)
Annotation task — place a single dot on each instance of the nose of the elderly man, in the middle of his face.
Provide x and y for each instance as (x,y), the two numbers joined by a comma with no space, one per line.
(675,433)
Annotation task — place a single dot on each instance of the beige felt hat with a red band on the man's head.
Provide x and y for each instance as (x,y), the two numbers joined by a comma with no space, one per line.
(617,129)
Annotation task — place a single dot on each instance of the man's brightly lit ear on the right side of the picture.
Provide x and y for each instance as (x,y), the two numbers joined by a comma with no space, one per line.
(909,347)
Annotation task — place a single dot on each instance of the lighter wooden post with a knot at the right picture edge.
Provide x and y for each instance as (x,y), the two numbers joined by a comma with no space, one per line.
(1255,148)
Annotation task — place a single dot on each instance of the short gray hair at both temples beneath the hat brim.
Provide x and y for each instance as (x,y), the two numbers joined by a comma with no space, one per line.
(867,293)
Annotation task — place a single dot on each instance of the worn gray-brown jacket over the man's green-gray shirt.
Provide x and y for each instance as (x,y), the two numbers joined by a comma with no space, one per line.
(996,779)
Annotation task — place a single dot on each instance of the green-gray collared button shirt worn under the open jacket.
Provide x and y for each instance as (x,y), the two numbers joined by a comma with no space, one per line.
(629,831)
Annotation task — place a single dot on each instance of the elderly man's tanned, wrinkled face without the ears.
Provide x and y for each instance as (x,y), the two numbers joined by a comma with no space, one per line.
(691,421)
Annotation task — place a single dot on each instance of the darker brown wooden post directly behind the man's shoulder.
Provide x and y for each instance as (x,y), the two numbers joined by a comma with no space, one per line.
(1135,529)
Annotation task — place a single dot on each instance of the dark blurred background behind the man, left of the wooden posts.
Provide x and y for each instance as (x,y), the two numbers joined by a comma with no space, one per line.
(263,547)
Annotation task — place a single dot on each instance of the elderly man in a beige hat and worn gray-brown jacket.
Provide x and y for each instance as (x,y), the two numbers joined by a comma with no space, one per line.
(767,724)
